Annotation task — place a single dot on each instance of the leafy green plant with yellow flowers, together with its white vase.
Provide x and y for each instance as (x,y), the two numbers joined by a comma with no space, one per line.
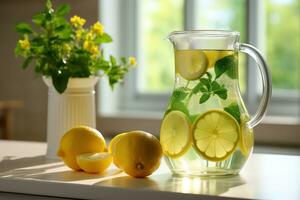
(70,59)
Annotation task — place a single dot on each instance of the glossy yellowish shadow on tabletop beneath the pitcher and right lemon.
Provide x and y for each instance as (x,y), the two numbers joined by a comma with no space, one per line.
(168,182)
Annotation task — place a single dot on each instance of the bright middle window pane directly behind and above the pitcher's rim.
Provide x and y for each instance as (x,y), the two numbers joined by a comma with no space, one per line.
(227,15)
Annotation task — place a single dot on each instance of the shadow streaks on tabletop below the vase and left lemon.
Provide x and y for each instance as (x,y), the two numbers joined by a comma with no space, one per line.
(41,168)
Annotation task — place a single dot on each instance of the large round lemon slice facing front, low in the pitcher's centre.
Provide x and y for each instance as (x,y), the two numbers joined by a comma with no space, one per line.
(215,135)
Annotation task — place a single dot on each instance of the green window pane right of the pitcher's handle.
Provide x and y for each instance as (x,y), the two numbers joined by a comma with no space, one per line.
(283,42)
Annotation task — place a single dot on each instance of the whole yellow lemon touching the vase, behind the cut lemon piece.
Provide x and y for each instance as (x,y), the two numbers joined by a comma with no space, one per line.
(79,140)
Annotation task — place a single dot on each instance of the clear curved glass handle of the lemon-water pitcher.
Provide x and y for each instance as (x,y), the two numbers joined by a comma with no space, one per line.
(266,82)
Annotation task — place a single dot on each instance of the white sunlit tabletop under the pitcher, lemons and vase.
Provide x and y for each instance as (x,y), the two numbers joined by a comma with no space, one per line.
(24,169)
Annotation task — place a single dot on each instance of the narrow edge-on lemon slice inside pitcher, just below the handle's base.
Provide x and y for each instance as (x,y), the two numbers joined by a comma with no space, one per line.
(247,138)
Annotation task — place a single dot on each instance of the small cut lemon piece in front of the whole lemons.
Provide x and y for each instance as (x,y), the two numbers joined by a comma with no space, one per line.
(94,162)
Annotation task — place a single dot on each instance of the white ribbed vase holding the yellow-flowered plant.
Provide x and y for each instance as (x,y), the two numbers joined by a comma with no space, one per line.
(75,106)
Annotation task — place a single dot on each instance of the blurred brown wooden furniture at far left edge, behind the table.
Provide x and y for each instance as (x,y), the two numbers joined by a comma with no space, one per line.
(6,119)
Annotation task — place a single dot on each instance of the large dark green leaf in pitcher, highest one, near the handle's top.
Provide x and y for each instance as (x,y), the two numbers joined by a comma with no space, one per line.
(229,64)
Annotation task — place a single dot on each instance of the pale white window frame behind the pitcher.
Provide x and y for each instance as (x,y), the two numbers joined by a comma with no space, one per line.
(129,99)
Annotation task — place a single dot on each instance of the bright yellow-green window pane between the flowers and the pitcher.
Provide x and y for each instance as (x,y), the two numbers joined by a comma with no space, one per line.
(156,60)
